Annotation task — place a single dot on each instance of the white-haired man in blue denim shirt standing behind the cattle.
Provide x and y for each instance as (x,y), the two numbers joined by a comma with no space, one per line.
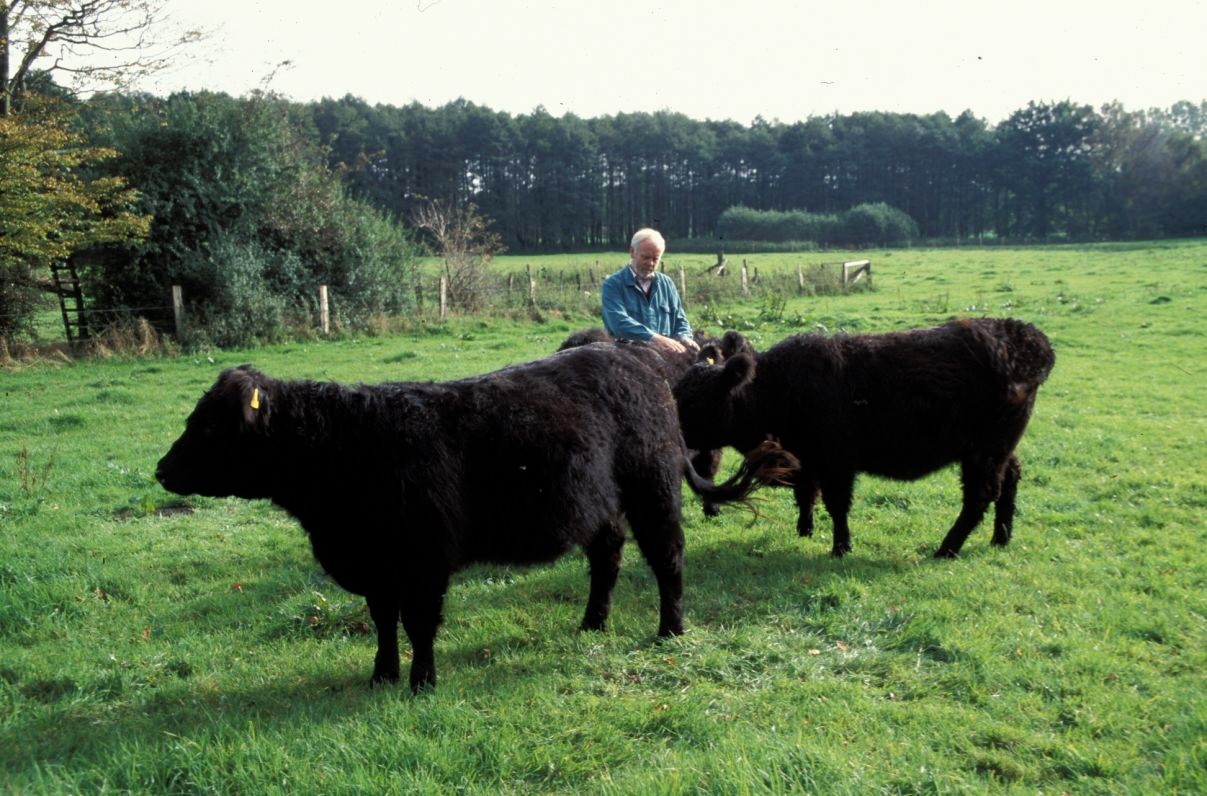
(642,304)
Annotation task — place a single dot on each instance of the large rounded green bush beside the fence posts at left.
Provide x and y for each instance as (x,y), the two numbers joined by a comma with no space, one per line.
(249,220)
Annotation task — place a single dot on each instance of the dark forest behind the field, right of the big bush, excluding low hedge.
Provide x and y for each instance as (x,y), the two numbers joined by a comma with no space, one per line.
(1051,171)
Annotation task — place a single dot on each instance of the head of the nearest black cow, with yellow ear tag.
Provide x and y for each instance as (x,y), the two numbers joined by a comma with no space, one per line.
(223,451)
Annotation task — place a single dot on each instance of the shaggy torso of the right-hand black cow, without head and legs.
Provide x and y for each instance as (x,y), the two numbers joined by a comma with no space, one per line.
(902,404)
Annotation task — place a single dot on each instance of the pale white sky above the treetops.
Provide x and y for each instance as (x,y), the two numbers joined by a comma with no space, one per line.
(782,60)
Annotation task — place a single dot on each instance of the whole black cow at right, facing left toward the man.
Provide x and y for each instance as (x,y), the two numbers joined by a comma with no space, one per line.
(900,405)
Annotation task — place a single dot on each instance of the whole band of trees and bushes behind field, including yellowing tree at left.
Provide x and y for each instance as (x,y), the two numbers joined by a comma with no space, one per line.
(250,204)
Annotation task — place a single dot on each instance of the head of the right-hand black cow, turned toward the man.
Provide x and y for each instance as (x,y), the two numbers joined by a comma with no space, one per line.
(707,396)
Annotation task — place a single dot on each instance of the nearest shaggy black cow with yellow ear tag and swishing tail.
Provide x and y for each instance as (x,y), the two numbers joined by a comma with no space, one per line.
(401,485)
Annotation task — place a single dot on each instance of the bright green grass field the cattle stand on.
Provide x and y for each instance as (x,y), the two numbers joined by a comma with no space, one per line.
(150,643)
